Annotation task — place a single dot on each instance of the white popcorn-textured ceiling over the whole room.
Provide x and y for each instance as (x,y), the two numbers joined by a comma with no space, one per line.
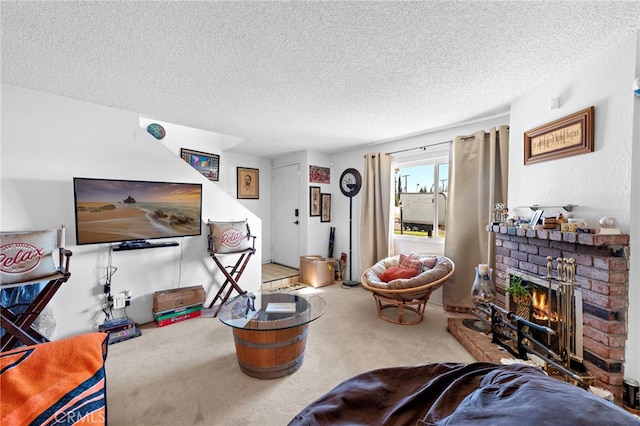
(285,76)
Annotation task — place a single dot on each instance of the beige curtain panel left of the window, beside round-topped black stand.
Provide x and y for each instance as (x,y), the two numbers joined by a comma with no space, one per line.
(375,238)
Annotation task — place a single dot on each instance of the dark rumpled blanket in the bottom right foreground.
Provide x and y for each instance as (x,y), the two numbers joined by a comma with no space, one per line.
(460,394)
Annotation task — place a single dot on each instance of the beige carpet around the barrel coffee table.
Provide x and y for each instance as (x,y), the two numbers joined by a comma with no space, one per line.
(187,373)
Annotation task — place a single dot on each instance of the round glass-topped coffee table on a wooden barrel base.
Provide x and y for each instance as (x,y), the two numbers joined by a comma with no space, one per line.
(270,330)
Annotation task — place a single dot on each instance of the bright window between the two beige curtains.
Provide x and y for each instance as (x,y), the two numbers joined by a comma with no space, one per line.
(421,198)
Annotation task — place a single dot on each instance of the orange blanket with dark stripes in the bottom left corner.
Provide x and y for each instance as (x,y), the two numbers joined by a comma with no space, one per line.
(60,382)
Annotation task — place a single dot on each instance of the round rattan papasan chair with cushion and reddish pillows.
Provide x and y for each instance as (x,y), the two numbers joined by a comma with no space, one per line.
(405,282)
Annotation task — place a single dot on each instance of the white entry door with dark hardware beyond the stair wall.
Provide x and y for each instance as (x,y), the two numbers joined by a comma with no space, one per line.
(285,225)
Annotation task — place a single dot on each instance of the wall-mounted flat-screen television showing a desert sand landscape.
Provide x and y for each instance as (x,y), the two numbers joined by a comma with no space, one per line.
(121,211)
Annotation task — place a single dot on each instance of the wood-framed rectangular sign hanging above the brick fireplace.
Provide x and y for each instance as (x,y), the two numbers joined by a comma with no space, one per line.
(565,137)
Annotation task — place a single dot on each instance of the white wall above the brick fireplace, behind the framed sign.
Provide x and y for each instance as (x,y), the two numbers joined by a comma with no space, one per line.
(600,183)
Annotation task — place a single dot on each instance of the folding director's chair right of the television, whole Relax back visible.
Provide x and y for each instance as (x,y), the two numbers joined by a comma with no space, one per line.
(230,238)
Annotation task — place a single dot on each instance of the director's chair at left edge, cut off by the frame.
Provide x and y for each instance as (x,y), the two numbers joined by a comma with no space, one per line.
(29,258)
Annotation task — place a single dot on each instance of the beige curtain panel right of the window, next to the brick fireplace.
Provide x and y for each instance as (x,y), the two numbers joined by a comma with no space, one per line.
(478,177)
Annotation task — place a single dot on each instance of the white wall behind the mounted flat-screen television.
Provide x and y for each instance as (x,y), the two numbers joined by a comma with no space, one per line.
(46,141)
